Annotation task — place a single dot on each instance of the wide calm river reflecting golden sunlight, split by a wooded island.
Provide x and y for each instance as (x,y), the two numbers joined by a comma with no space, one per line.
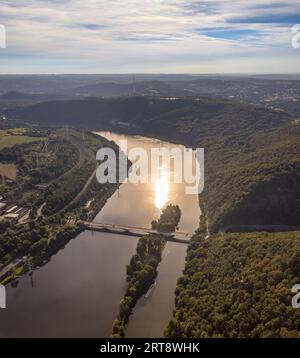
(77,293)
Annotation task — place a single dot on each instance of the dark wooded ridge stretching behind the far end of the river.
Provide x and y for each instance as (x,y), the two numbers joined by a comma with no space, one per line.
(195,119)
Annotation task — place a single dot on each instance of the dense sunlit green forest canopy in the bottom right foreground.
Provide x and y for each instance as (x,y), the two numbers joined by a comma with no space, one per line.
(238,285)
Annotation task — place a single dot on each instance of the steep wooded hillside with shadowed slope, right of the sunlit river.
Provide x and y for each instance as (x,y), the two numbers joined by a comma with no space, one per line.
(255,181)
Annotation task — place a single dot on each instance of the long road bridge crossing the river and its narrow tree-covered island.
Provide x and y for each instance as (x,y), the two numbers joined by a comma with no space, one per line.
(178,236)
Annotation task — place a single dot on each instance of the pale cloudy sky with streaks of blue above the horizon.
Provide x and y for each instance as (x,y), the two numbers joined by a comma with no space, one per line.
(149,36)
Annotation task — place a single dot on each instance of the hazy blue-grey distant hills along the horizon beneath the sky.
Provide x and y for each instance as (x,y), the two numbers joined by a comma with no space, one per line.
(267,91)
